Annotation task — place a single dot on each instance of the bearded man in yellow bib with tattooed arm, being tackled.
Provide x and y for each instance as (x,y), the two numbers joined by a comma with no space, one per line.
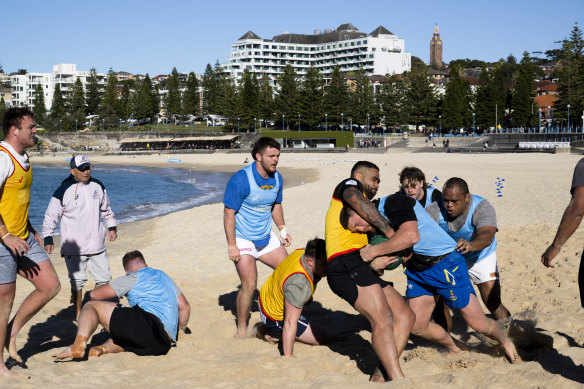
(355,279)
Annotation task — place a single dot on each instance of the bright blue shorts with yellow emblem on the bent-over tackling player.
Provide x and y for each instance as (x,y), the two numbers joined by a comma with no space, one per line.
(448,278)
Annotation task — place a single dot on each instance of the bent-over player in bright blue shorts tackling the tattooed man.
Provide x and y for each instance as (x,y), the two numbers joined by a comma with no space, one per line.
(434,269)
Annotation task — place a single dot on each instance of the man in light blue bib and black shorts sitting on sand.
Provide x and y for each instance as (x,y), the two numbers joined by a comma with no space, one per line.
(149,326)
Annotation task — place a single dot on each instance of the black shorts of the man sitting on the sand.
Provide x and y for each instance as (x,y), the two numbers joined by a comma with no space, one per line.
(138,331)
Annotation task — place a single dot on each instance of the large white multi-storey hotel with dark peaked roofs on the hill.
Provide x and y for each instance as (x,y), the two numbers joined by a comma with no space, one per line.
(380,52)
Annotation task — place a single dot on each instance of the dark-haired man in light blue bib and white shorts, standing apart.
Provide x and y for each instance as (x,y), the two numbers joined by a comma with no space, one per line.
(253,197)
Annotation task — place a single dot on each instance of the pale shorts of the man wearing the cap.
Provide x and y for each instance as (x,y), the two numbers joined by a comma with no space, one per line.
(97,264)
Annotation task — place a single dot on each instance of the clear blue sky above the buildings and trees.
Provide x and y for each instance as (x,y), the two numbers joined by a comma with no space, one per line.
(147,36)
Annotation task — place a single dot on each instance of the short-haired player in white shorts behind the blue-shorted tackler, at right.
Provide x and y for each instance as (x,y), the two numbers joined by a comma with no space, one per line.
(471,221)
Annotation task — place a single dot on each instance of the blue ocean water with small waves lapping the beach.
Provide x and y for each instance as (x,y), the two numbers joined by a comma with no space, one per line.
(135,193)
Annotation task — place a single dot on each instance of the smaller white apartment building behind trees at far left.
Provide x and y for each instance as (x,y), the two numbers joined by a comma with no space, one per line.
(23,85)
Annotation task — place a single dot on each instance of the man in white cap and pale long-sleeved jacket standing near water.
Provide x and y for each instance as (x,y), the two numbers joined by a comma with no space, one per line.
(80,203)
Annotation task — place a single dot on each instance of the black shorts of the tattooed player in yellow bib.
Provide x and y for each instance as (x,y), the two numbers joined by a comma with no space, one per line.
(347,271)
